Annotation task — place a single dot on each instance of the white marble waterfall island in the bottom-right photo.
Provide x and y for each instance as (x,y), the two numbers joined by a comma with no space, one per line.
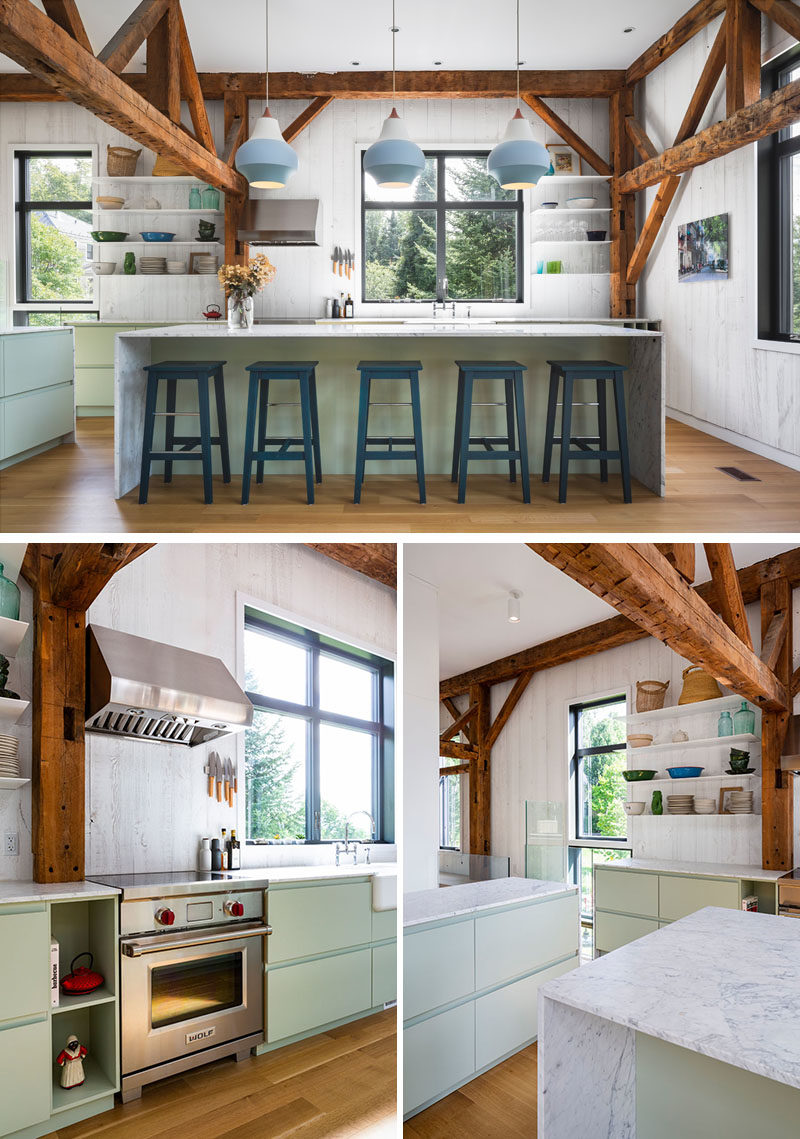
(689,1033)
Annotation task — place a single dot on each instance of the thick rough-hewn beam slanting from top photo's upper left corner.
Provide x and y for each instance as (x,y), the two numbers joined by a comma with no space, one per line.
(45,50)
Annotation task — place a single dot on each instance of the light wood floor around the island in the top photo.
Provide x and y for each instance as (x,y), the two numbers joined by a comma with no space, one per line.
(70,490)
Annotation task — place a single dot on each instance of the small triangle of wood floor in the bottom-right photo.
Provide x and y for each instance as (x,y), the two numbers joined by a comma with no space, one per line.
(497,1105)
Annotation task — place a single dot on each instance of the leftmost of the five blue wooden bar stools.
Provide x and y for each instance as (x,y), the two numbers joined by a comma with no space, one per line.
(201,372)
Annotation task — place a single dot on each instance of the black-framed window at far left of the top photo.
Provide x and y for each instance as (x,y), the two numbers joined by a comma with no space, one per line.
(53,214)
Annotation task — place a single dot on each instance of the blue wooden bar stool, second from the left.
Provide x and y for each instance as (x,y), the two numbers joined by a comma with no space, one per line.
(285,448)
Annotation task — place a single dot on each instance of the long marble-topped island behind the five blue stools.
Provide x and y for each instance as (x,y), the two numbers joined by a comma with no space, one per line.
(339,348)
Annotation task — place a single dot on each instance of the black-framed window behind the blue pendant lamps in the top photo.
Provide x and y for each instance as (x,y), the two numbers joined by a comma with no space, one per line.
(453,236)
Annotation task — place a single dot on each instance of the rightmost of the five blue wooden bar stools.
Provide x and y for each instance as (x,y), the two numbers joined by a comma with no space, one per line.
(601,372)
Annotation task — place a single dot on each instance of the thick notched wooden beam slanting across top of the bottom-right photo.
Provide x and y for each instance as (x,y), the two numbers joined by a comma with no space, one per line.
(641,584)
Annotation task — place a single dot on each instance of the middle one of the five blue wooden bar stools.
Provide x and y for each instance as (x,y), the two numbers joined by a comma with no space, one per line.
(411,446)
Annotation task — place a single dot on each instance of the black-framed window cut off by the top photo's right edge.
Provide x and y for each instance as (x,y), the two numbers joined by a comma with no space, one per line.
(779,216)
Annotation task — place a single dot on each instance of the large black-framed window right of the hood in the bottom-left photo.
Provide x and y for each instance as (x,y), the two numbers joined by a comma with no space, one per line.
(321,750)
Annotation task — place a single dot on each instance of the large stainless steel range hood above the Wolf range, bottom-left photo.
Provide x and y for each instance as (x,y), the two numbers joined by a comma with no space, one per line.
(148,691)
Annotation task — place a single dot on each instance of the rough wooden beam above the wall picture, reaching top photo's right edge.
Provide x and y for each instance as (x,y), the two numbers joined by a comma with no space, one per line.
(752,124)
